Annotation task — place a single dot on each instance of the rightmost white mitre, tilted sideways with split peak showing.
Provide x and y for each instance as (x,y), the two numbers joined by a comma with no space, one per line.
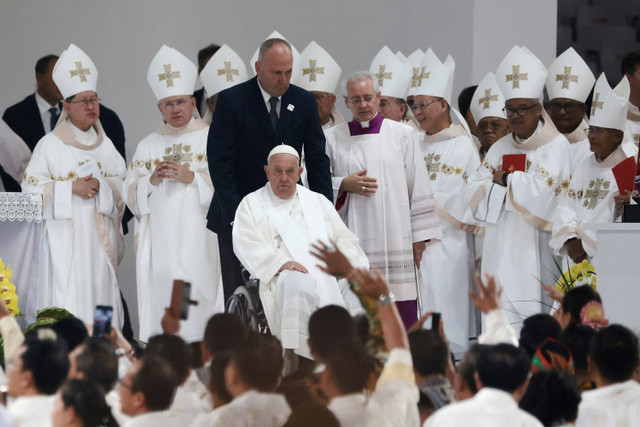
(609,106)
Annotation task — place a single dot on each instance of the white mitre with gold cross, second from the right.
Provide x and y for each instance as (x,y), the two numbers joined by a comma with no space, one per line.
(569,77)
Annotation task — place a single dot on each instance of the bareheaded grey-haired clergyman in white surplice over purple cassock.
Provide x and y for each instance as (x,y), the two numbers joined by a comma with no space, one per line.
(382,191)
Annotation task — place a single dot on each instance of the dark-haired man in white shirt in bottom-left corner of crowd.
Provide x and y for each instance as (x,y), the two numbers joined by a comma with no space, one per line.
(34,374)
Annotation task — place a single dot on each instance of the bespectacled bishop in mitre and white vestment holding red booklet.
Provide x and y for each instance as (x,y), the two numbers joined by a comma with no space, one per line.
(518,207)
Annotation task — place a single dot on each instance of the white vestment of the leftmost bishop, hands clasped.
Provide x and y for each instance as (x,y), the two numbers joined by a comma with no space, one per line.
(83,237)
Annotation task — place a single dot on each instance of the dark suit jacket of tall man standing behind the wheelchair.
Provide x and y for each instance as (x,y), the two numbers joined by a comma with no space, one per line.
(241,136)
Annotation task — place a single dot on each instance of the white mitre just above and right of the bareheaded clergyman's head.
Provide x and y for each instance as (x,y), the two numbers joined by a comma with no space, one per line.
(392,74)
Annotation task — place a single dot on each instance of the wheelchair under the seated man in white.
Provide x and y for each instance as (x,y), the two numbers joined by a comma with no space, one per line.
(245,303)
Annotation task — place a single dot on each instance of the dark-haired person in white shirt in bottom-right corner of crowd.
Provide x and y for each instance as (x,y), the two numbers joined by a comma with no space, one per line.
(613,357)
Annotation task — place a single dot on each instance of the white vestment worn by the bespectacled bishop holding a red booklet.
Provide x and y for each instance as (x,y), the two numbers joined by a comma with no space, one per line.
(516,249)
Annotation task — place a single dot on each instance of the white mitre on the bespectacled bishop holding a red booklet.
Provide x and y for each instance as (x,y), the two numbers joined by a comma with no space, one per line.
(521,74)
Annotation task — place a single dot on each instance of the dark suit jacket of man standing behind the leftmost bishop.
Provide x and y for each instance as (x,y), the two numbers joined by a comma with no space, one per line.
(24,119)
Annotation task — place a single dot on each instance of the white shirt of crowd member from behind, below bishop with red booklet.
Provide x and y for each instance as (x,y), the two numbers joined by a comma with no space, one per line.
(490,407)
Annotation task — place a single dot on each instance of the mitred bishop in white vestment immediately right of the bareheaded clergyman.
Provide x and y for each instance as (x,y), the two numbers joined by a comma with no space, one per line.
(450,156)
